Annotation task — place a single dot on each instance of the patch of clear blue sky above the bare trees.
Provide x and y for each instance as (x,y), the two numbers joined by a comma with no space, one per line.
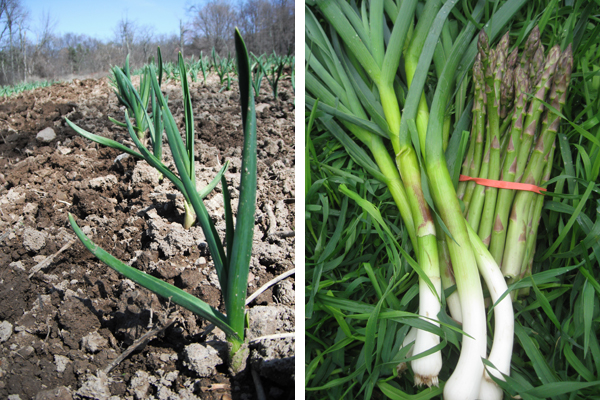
(99,18)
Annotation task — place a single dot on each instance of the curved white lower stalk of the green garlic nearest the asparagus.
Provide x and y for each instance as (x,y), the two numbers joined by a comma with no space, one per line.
(504,318)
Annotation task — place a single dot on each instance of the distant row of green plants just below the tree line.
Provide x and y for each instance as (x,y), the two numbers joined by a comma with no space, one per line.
(271,67)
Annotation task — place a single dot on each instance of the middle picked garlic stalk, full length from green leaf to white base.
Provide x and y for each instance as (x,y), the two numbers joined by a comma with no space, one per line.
(461,384)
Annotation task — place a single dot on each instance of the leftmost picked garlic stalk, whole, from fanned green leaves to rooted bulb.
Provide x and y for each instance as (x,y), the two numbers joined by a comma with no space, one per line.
(426,368)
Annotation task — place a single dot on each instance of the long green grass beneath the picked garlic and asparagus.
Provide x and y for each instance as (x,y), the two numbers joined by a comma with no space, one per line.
(362,294)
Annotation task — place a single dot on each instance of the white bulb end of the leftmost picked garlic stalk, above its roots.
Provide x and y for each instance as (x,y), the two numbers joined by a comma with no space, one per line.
(427,368)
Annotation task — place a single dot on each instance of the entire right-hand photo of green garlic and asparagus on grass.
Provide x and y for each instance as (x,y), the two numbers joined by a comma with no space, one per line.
(452,205)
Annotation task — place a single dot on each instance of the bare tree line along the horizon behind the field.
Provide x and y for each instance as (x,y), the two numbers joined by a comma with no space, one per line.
(33,52)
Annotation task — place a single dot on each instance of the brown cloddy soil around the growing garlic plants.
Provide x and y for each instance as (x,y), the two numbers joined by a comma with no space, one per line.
(64,321)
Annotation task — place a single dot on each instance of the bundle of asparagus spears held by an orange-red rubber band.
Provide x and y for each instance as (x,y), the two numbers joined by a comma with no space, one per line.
(512,140)
